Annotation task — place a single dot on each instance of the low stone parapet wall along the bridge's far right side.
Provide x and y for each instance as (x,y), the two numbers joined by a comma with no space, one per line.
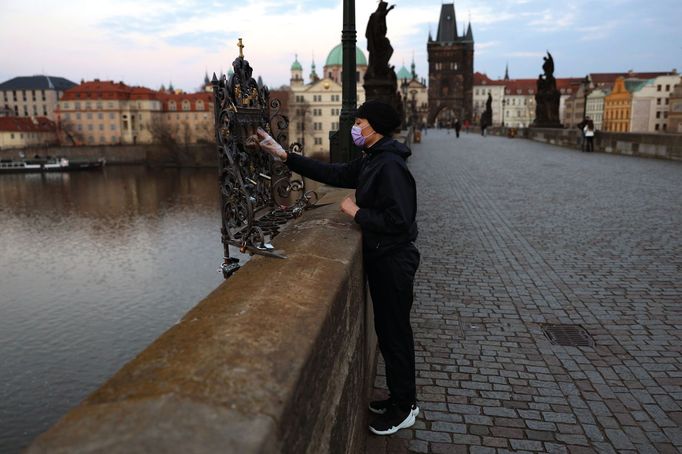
(663,146)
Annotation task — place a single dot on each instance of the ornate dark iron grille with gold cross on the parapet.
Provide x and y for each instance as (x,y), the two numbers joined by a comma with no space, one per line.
(257,192)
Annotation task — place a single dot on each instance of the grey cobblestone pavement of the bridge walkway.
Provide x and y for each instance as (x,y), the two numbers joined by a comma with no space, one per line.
(515,234)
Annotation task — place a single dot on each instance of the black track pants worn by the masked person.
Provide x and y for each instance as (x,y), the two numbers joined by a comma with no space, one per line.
(391,284)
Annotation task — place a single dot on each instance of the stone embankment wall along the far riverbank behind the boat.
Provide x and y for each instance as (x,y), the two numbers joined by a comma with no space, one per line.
(203,155)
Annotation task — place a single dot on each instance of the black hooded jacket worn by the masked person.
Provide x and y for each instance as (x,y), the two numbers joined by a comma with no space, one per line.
(385,191)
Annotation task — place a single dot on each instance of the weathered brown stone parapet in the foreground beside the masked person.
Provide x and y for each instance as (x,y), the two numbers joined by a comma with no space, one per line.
(279,358)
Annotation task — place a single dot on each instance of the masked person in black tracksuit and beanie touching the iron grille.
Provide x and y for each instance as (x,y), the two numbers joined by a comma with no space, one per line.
(385,207)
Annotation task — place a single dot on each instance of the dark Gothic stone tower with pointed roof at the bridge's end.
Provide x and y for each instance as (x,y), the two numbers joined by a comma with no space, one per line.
(451,70)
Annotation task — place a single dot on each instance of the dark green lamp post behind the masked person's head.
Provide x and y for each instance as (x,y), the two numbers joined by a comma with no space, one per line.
(341,141)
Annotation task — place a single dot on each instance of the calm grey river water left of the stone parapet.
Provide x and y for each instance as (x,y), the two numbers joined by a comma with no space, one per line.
(93,267)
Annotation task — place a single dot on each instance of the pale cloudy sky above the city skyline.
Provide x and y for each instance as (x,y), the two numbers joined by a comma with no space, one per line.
(154,42)
